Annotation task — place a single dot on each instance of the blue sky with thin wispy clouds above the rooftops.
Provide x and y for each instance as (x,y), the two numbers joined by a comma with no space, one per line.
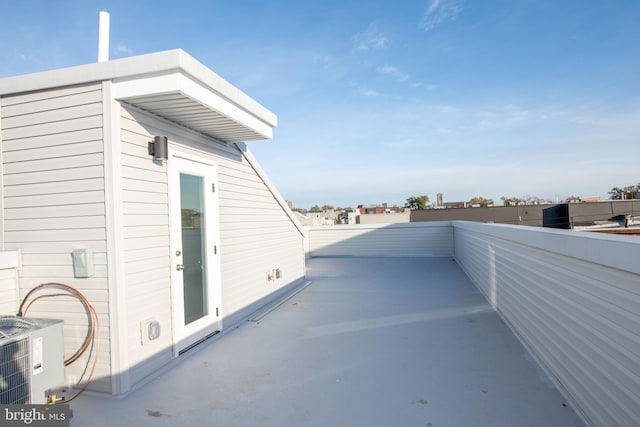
(381,100)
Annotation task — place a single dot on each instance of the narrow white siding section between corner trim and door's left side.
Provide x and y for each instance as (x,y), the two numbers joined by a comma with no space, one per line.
(147,259)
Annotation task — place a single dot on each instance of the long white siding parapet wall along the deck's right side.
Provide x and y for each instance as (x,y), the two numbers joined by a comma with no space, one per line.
(574,300)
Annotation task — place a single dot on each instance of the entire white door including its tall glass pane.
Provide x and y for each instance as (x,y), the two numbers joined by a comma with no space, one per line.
(196,288)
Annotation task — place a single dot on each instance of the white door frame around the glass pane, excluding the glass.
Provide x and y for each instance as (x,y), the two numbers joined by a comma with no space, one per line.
(186,336)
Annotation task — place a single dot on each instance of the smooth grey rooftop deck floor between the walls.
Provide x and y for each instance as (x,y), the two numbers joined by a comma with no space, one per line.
(371,342)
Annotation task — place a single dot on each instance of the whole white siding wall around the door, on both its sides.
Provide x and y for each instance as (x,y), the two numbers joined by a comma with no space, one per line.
(256,234)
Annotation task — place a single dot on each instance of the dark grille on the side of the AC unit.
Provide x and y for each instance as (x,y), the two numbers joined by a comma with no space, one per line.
(14,372)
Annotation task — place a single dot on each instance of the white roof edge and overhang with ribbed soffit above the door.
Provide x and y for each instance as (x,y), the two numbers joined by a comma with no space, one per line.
(169,84)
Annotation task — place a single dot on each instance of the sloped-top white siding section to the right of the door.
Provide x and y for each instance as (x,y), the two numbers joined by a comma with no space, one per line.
(257,237)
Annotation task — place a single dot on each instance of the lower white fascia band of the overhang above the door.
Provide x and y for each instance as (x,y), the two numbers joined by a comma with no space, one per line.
(135,89)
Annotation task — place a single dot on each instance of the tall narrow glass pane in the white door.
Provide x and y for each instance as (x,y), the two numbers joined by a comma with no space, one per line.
(193,222)
